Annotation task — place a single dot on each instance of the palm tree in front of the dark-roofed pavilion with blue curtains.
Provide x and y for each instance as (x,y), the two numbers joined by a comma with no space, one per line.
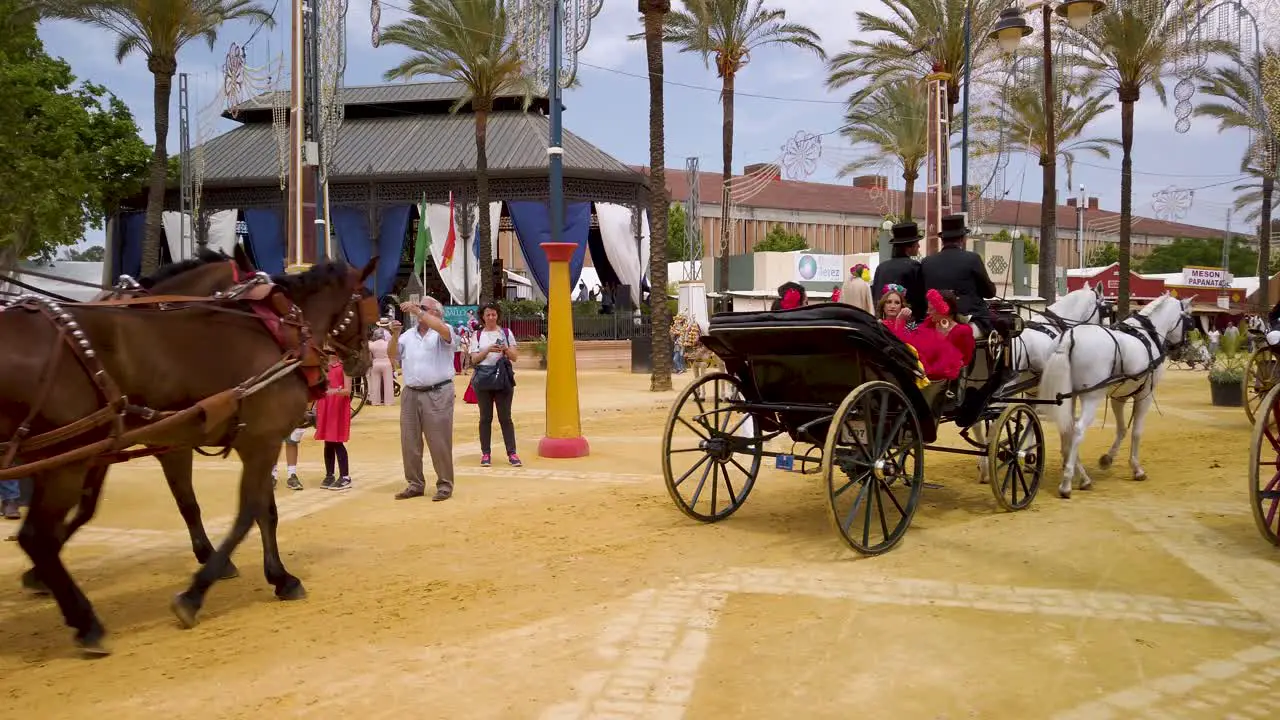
(469,43)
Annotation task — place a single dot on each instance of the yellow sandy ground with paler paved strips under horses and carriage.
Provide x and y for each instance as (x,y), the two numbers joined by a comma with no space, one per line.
(572,590)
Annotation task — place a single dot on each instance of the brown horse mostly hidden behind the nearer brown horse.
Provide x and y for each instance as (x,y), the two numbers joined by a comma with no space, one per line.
(207,274)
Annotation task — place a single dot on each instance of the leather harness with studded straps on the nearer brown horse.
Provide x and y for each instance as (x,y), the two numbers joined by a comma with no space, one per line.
(267,302)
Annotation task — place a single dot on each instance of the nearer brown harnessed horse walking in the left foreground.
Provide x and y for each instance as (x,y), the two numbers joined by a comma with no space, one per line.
(214,357)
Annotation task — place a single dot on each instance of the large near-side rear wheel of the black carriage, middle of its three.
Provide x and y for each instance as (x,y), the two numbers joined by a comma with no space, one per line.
(874,463)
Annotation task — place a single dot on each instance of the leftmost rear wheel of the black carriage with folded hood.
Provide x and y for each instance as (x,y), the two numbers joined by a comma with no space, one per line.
(712,449)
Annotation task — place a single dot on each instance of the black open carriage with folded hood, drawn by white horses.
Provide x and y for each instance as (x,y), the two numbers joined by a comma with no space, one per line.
(834,377)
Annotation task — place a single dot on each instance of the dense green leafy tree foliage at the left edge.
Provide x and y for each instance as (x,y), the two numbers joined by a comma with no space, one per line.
(71,153)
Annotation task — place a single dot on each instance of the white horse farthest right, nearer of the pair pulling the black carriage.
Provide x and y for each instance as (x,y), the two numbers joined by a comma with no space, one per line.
(1124,362)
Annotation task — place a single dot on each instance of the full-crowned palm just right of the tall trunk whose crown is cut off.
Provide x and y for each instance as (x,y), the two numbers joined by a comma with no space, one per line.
(730,30)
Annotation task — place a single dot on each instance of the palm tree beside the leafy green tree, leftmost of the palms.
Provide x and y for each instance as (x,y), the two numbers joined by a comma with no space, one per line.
(158,30)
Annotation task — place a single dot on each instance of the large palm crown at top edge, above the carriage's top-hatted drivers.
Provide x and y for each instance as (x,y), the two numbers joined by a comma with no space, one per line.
(924,37)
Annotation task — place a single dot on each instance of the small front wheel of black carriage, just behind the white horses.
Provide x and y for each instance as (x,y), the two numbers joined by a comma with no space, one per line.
(1016,446)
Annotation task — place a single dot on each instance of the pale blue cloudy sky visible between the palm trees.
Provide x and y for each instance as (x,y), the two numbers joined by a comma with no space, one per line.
(780,94)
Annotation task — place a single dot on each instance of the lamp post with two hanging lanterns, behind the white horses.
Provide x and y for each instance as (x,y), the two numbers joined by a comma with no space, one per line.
(1011,30)
